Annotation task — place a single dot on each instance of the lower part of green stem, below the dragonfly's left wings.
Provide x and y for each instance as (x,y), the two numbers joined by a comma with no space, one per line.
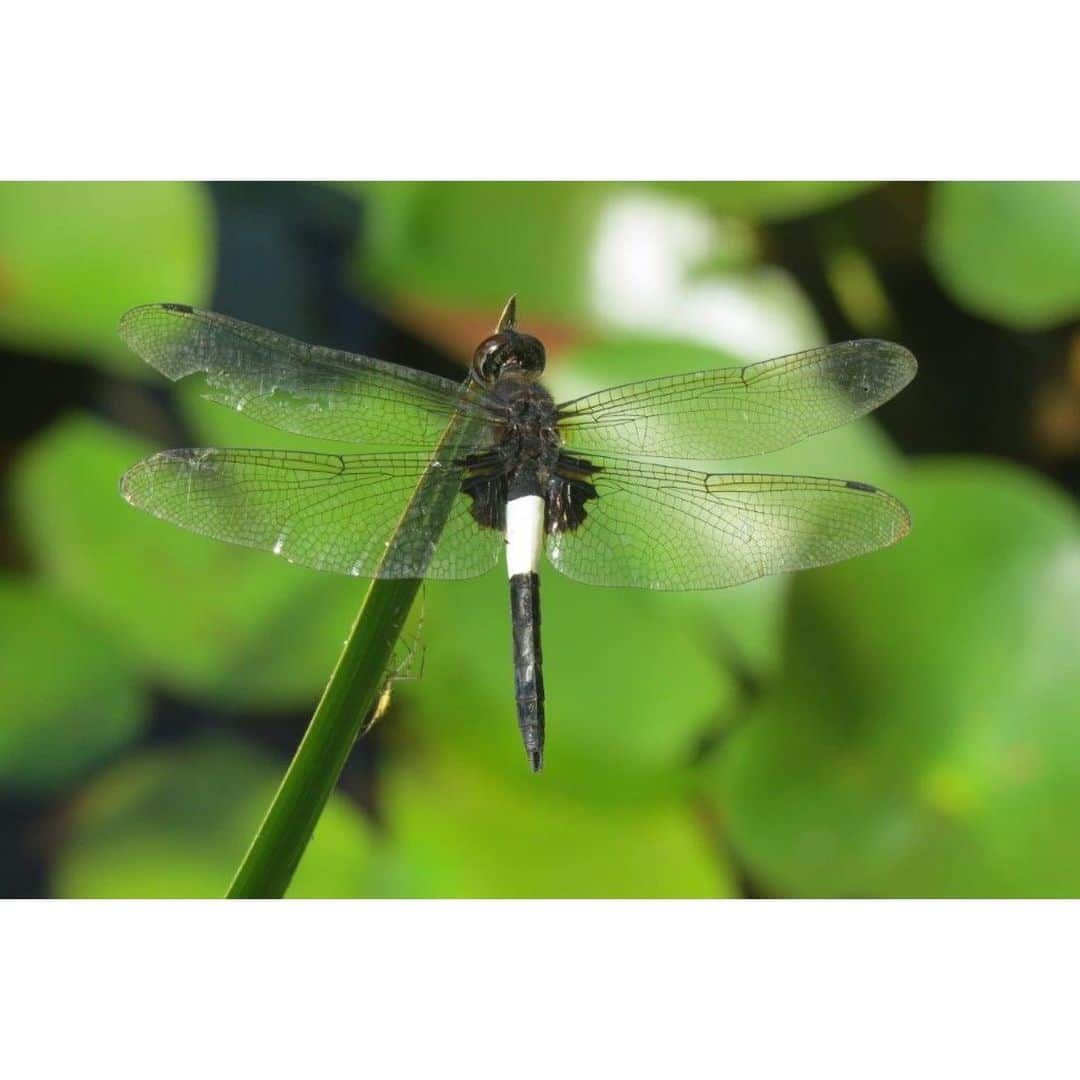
(350,694)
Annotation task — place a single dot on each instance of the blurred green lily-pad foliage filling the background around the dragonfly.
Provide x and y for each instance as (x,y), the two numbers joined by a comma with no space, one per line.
(904,725)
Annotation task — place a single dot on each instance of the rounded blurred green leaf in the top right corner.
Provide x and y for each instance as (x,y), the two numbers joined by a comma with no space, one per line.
(1009,252)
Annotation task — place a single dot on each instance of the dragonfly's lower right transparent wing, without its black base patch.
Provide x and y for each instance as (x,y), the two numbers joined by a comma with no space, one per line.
(667,529)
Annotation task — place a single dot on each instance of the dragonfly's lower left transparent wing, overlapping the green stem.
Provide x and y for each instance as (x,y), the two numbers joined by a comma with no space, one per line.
(331,512)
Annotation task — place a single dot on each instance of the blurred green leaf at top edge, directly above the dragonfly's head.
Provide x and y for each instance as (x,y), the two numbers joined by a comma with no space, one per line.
(470,245)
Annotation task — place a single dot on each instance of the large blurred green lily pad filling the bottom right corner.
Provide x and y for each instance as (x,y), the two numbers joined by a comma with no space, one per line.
(925,738)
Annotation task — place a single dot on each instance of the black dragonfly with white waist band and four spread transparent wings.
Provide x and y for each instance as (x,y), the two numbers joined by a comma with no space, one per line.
(447,478)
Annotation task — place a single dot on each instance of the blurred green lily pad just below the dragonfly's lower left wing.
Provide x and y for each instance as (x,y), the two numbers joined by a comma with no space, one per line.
(204,618)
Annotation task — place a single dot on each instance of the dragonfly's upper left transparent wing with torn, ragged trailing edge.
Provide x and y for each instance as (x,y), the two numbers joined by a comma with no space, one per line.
(300,388)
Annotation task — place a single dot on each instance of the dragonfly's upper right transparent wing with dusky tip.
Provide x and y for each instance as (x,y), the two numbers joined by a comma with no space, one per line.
(736,412)
